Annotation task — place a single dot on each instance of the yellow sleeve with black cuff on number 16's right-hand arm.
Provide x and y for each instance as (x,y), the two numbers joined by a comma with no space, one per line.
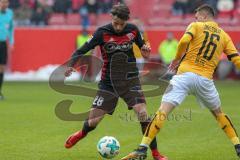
(231,52)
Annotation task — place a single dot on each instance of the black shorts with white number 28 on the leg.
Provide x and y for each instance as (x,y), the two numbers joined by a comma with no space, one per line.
(107,96)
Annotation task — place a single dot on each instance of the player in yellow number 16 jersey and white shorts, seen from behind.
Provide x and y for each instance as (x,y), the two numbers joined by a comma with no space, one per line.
(197,57)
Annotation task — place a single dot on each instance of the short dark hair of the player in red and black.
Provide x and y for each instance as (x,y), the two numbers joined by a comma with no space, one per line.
(121,11)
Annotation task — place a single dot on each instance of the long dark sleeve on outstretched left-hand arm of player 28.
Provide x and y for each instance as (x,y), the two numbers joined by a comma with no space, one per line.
(95,40)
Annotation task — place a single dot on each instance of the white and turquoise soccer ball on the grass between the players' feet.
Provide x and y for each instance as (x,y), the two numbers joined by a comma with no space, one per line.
(108,147)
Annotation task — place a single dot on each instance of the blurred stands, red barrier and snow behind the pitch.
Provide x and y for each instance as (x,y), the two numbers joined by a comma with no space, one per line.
(46,30)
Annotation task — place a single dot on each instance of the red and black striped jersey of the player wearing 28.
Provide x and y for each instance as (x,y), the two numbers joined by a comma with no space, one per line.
(116,48)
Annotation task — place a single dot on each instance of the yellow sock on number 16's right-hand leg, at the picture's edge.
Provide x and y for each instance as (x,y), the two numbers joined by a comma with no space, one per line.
(227,126)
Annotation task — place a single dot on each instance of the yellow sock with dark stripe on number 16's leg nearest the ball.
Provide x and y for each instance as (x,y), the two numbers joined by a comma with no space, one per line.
(153,128)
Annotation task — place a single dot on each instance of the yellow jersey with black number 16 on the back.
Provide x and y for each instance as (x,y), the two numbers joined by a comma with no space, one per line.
(208,42)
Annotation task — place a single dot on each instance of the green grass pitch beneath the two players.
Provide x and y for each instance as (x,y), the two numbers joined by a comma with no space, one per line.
(30,130)
